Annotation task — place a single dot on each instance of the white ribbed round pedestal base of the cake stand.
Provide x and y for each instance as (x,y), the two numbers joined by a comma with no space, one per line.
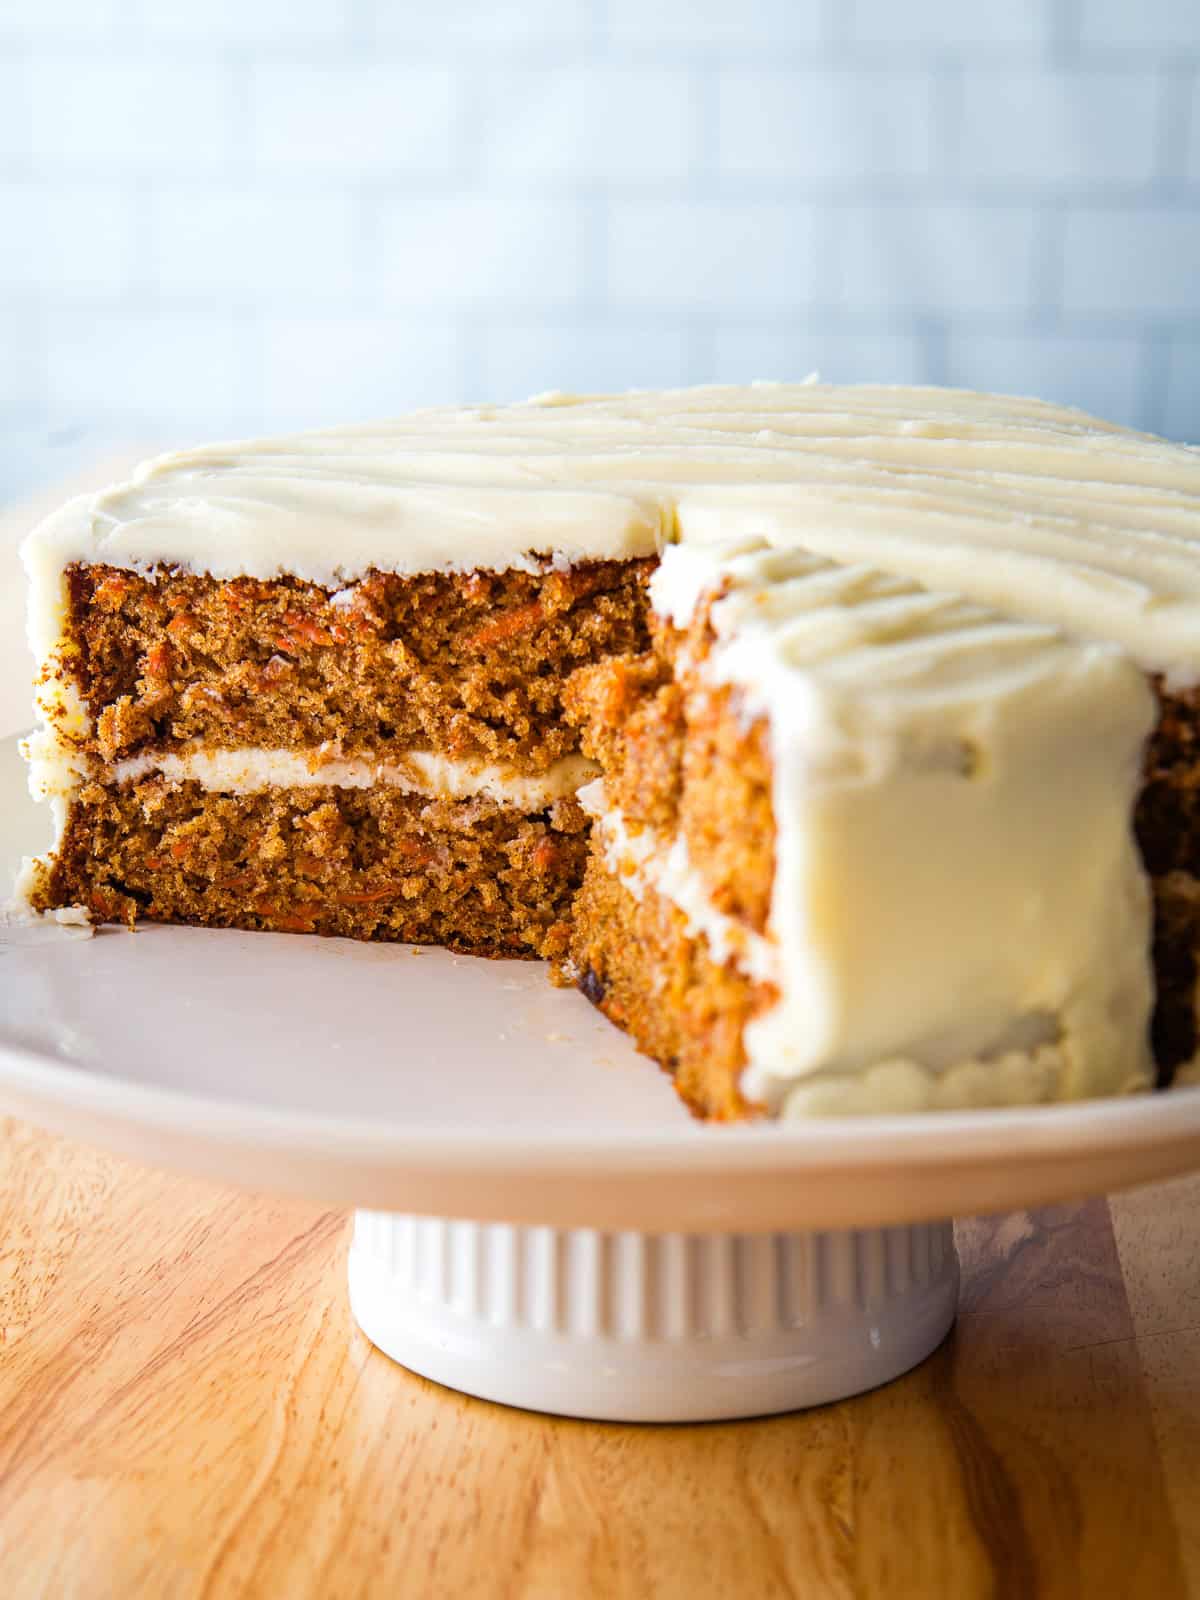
(652,1327)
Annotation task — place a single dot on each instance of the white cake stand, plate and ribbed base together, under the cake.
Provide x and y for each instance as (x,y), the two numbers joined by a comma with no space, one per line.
(537,1218)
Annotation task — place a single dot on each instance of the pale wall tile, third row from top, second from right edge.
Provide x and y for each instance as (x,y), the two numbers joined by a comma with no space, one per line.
(935,258)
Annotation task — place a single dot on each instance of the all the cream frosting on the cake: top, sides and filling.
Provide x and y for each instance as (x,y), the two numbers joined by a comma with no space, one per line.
(919,918)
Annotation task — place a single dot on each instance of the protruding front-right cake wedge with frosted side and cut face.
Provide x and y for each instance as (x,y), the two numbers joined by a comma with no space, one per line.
(863,847)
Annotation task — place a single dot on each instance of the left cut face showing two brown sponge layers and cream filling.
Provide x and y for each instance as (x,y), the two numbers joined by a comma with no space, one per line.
(386,761)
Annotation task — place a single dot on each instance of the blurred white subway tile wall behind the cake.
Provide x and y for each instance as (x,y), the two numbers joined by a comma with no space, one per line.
(226,217)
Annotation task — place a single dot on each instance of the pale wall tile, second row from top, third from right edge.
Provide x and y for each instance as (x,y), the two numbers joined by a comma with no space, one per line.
(825,124)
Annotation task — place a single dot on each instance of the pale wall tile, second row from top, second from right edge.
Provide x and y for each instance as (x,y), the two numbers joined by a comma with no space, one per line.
(1039,126)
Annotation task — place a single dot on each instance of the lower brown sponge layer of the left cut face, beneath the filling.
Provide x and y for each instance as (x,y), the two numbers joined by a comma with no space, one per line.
(361,863)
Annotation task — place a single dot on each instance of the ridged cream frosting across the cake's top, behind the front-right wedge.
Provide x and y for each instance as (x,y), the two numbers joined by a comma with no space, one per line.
(1026,506)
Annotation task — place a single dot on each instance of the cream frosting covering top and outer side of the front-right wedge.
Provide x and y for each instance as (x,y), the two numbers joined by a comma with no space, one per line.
(954,849)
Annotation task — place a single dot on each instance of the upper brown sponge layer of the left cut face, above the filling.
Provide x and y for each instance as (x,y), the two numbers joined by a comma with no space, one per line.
(468,666)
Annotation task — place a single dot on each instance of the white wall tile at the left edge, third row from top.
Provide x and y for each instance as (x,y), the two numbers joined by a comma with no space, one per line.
(73,238)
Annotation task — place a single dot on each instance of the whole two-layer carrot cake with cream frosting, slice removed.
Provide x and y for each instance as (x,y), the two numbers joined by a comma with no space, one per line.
(841,743)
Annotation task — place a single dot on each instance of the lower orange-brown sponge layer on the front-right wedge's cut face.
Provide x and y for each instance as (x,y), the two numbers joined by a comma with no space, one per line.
(636,961)
